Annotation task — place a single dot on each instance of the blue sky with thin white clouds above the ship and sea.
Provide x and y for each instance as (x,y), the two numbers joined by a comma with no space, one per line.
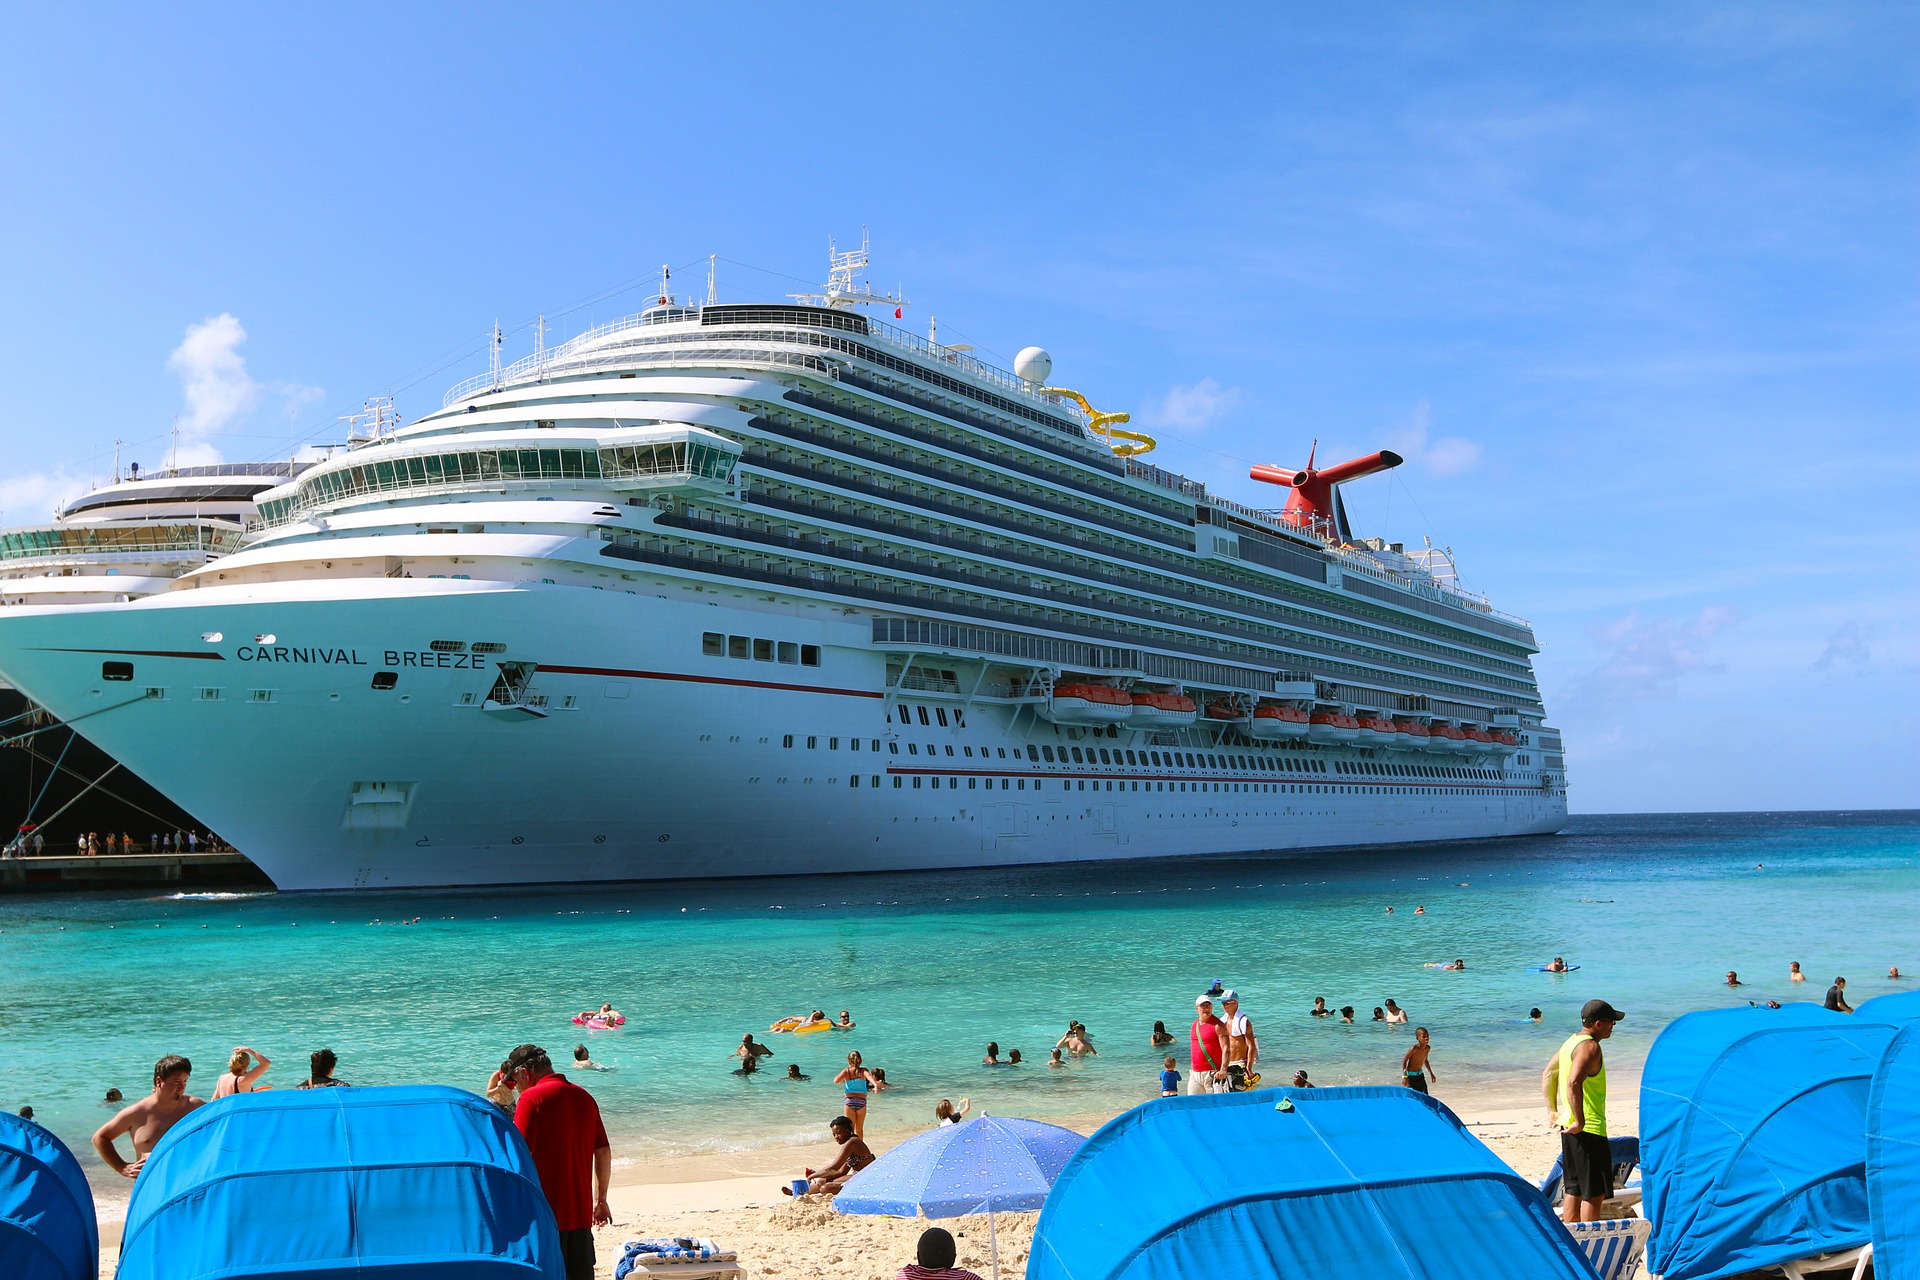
(1633,287)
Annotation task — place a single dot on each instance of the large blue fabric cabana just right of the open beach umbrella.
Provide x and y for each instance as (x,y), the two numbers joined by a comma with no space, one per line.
(1370,1183)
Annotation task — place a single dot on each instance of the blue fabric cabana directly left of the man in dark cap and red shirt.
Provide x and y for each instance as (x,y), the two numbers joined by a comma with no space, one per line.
(418,1181)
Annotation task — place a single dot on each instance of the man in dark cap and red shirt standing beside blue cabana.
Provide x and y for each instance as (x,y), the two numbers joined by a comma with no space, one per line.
(571,1152)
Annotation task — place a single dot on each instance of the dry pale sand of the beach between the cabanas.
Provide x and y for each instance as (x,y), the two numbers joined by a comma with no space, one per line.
(736,1200)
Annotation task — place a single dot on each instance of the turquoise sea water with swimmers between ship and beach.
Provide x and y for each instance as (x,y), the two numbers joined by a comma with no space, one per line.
(1654,911)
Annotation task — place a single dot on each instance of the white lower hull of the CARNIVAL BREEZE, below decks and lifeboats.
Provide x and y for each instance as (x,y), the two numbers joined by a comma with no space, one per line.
(638,757)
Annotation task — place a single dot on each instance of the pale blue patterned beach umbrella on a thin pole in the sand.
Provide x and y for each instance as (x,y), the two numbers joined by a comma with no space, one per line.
(982,1166)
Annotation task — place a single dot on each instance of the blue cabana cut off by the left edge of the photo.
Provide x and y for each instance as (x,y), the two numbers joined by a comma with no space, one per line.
(47,1210)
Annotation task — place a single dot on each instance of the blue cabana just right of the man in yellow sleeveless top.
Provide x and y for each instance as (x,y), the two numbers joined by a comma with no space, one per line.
(1754,1139)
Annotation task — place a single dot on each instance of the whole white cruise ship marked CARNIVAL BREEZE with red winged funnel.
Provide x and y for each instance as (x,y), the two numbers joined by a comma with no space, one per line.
(729,590)
